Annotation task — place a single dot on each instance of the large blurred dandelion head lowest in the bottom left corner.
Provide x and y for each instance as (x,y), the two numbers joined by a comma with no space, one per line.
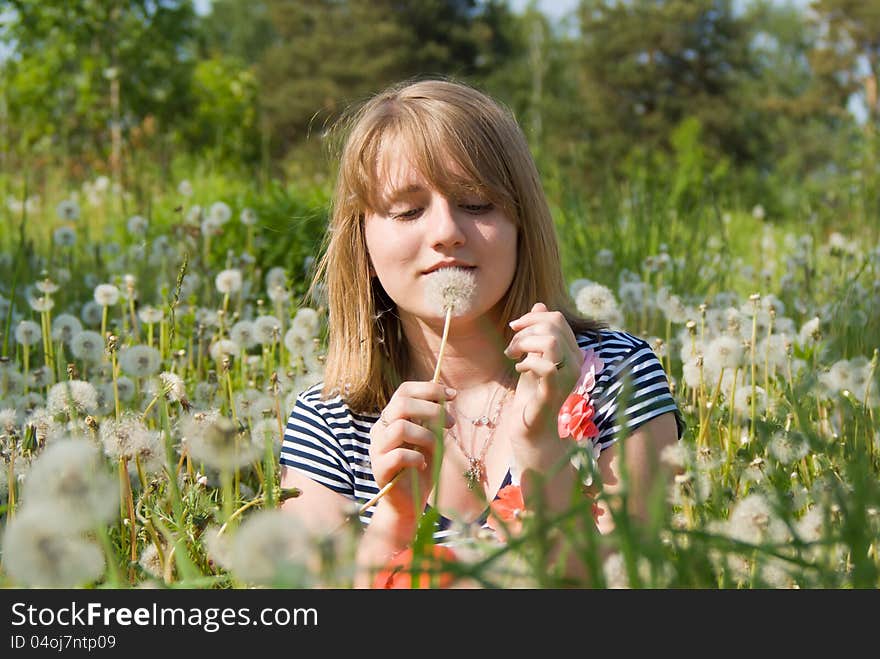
(36,553)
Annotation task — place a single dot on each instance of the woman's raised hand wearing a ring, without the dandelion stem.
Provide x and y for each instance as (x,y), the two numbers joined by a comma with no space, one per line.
(549,371)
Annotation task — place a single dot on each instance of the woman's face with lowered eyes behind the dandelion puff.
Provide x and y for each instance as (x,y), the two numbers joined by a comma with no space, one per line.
(420,229)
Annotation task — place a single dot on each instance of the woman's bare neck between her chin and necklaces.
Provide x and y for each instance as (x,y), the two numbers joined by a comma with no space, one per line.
(473,355)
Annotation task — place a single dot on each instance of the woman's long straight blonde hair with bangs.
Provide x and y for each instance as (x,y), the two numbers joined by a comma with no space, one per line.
(434,122)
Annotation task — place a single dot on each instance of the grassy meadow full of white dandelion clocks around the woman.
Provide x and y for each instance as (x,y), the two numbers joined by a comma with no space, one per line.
(153,345)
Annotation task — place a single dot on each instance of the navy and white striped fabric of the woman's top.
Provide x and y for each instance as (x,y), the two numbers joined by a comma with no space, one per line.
(329,443)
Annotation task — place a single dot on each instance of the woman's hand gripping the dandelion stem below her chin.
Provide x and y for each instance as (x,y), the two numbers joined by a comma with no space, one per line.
(403,438)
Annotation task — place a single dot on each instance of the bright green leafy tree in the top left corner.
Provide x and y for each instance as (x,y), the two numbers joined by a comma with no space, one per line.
(82,73)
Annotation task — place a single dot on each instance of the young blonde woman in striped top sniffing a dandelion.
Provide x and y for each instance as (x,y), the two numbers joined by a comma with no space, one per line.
(436,175)
